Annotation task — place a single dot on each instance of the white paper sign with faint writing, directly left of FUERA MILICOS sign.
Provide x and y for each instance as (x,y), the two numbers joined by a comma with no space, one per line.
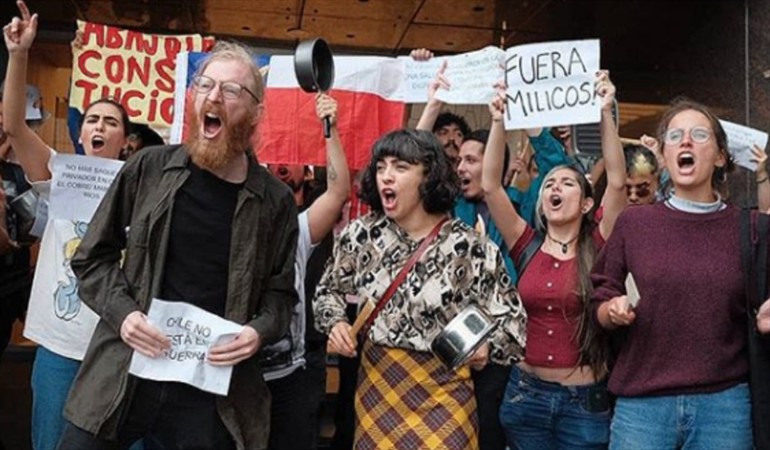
(472,77)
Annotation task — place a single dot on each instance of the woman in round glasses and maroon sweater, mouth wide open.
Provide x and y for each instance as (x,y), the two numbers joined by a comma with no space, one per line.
(681,369)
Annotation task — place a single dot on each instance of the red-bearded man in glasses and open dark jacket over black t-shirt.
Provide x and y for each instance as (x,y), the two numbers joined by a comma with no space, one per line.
(200,223)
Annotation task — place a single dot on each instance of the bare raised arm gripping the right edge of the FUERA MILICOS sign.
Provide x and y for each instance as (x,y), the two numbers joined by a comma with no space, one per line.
(615,199)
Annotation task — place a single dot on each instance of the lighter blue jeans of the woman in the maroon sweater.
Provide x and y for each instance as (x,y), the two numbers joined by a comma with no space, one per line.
(696,421)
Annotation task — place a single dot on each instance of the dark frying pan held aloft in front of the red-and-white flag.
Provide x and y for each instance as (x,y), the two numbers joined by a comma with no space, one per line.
(314,67)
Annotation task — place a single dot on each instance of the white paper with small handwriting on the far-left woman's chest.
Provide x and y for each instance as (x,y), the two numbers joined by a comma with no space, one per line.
(78,185)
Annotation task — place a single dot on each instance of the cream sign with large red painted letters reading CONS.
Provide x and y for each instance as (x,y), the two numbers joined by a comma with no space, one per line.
(135,68)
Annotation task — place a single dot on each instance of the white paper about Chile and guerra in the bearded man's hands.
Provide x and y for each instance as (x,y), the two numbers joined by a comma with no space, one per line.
(192,332)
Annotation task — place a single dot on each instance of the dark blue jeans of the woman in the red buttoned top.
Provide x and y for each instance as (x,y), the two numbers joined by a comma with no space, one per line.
(540,415)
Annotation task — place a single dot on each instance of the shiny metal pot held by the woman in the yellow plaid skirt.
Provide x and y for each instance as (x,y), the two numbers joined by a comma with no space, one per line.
(462,336)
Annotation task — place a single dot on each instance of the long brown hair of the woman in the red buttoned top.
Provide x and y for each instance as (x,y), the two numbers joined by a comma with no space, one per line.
(592,341)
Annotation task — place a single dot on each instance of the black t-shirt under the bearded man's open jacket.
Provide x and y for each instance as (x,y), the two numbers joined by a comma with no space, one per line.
(197,262)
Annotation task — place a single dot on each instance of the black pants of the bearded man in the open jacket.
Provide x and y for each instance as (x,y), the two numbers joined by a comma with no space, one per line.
(169,416)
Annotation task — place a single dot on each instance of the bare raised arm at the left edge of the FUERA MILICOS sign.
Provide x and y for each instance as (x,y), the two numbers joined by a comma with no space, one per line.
(508,221)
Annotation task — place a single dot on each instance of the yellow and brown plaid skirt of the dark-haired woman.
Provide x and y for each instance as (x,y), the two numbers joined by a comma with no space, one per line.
(410,400)
